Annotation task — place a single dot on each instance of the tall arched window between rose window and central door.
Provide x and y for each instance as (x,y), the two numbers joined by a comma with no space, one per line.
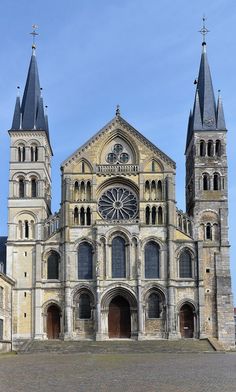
(118,258)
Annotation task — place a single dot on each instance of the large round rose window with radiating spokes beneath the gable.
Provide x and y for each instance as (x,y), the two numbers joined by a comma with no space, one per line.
(118,203)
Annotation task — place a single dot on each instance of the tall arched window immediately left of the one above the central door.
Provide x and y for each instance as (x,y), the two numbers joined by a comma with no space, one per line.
(85,261)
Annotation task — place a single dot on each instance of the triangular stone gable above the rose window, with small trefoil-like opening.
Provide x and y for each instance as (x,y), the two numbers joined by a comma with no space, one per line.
(102,148)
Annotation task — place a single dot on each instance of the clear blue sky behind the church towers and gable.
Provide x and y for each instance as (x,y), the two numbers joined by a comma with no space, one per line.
(95,54)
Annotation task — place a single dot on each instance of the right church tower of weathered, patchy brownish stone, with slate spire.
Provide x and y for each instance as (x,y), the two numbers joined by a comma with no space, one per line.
(207,203)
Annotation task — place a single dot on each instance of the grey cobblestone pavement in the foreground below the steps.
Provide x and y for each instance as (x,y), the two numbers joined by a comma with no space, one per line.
(147,372)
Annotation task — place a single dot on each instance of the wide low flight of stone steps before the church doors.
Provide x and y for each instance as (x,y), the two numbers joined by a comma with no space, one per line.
(117,346)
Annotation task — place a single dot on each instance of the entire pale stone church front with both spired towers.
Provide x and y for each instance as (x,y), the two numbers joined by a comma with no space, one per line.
(119,260)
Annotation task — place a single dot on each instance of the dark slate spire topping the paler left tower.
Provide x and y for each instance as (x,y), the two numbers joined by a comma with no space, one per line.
(31,114)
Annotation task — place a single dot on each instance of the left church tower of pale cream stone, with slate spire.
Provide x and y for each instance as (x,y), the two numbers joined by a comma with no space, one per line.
(29,197)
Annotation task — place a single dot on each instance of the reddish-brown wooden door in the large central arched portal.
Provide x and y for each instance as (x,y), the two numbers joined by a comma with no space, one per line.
(119,324)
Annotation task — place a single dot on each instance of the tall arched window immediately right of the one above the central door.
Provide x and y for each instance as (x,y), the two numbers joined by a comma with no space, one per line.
(152,260)
